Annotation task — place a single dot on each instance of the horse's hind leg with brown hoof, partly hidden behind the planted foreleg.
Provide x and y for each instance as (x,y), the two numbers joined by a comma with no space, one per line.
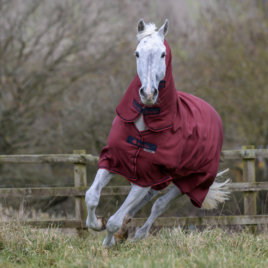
(122,233)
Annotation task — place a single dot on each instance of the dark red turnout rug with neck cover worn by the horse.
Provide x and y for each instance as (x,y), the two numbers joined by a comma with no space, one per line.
(182,143)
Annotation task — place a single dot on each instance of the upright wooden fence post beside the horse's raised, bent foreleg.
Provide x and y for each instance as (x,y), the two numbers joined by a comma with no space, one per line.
(80,180)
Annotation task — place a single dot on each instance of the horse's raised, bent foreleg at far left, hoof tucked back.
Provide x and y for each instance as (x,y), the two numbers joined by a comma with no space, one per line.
(92,199)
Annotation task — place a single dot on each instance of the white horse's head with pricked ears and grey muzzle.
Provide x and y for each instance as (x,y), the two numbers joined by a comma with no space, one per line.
(150,54)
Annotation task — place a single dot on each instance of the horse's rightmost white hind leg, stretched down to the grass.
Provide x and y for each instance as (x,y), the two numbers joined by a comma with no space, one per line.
(159,207)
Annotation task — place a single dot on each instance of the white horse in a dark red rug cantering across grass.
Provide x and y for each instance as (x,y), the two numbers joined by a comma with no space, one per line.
(159,135)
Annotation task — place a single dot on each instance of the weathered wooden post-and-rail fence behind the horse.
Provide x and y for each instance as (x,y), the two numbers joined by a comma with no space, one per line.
(79,158)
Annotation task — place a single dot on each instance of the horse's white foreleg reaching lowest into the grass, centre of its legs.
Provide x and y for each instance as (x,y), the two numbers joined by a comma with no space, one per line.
(135,195)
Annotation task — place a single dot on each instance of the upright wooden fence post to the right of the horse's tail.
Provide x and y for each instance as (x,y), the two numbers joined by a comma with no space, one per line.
(250,204)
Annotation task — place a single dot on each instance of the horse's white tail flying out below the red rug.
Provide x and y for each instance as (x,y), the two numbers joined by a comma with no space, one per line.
(217,193)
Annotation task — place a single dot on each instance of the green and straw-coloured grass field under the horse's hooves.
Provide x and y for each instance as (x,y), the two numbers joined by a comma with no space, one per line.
(22,246)
